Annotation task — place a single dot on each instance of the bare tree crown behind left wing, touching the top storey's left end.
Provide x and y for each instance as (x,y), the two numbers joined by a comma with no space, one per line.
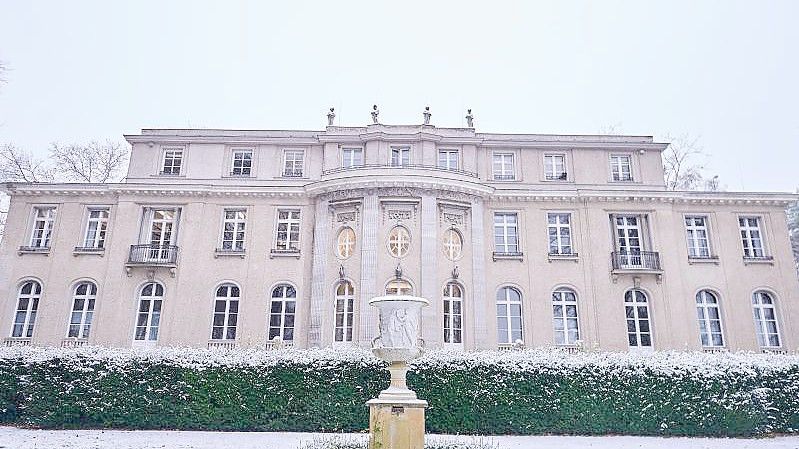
(93,162)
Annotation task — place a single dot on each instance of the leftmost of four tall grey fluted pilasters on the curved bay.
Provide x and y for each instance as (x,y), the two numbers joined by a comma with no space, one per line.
(318,284)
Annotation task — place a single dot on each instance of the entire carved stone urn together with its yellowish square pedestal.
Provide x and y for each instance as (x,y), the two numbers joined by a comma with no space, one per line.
(396,416)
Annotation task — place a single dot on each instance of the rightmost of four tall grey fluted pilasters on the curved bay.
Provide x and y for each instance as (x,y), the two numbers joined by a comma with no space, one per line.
(478,298)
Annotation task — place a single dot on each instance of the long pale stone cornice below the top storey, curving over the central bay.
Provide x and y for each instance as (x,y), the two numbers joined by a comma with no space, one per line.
(399,182)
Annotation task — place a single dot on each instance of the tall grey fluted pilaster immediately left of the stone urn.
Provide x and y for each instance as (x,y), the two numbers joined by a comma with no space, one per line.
(367,328)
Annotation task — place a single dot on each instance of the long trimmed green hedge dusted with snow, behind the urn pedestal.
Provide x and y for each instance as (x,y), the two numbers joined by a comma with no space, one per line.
(515,392)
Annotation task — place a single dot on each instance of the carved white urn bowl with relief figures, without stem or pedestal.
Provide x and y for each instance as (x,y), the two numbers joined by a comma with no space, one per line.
(399,328)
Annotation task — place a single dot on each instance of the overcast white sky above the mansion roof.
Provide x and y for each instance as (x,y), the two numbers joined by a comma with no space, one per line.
(725,71)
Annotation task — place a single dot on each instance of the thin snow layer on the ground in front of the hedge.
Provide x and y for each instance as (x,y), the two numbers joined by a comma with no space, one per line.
(14,438)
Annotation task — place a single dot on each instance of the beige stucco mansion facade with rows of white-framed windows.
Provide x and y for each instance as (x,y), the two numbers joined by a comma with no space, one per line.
(344,178)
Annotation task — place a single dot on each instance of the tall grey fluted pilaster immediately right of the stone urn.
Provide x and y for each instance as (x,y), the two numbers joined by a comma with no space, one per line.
(429,288)
